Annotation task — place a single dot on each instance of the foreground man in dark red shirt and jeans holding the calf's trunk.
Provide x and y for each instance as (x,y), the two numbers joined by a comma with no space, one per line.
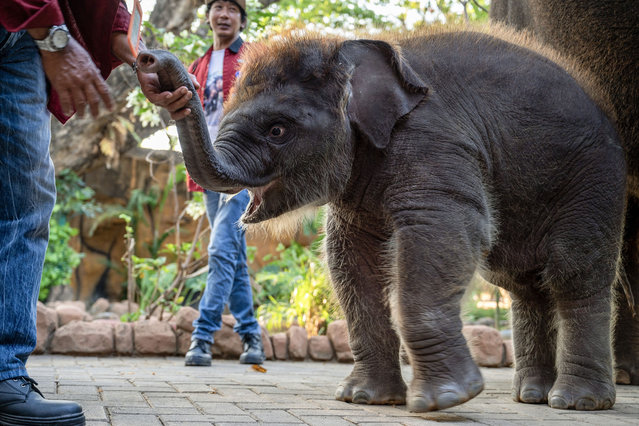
(55,54)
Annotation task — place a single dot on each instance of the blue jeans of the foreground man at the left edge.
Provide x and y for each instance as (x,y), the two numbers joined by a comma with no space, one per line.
(27,196)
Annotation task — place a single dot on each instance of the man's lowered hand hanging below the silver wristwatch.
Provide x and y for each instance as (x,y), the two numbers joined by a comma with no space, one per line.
(77,80)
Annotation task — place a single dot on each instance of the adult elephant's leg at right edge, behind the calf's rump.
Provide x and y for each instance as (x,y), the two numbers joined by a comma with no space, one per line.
(626,321)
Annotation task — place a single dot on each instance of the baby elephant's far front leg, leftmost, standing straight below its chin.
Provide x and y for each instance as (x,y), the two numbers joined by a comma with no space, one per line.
(355,259)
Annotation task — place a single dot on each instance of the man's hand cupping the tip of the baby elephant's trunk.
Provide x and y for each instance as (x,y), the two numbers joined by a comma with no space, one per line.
(174,102)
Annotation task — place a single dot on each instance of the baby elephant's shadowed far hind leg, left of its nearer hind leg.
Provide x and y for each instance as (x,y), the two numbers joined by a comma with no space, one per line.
(534,338)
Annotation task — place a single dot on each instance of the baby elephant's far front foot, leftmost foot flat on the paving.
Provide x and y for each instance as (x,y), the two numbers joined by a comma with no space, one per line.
(359,388)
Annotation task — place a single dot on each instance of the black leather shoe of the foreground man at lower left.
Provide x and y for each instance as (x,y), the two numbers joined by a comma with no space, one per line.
(21,403)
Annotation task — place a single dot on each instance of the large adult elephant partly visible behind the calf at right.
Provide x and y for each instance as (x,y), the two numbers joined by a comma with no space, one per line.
(603,36)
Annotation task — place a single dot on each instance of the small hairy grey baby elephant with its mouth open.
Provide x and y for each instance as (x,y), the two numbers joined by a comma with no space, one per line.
(468,153)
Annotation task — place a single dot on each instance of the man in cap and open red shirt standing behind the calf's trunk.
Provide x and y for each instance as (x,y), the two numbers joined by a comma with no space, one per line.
(228,279)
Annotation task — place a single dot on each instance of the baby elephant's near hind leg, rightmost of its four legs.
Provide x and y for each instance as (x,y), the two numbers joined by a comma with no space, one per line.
(584,359)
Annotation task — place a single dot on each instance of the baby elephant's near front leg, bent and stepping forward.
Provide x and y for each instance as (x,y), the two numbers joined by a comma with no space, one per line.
(436,258)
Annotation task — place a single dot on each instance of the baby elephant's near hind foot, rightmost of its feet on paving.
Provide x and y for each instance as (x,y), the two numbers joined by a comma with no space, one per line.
(578,393)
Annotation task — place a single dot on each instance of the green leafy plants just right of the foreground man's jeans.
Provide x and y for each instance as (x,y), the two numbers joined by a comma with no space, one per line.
(73,197)
